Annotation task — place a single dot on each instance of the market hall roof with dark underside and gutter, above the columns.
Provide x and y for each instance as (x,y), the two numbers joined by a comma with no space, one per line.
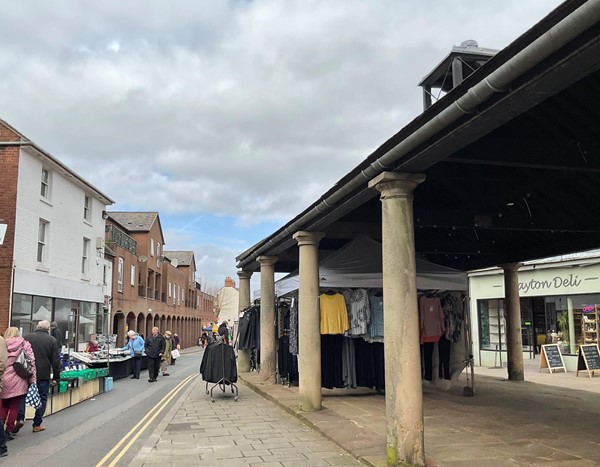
(511,157)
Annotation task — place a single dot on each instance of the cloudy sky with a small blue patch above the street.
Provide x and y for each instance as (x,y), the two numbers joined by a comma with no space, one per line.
(228,117)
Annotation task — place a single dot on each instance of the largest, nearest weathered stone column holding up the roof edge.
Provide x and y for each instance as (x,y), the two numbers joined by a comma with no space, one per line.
(403,387)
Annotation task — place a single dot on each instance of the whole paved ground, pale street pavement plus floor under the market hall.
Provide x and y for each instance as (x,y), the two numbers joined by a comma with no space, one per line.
(551,422)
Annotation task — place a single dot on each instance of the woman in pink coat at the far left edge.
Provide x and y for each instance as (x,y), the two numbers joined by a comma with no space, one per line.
(14,388)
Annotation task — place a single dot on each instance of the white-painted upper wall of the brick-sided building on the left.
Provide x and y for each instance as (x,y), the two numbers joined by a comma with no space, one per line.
(60,275)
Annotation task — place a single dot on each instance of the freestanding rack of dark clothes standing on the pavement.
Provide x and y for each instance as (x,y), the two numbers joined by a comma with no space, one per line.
(219,367)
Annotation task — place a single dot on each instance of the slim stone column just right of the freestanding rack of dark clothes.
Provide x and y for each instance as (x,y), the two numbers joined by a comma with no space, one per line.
(268,342)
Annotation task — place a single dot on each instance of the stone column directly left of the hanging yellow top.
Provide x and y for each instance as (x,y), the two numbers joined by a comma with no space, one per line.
(309,333)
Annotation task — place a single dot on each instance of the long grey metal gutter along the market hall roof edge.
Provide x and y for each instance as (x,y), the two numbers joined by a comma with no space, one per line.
(497,81)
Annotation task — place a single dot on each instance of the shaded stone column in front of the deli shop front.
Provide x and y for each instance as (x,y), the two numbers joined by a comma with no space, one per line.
(512,311)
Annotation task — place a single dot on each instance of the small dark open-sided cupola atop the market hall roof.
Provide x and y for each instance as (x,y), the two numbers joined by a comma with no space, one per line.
(462,60)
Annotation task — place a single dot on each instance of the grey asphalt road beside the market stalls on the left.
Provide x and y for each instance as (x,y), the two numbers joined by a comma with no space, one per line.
(85,433)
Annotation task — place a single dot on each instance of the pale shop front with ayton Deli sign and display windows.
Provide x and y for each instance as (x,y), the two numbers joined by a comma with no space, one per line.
(560,304)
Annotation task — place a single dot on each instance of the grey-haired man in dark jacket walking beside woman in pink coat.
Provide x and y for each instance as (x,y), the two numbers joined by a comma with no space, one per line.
(47,366)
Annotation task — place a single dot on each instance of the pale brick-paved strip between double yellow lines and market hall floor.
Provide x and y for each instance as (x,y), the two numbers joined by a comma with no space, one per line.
(250,432)
